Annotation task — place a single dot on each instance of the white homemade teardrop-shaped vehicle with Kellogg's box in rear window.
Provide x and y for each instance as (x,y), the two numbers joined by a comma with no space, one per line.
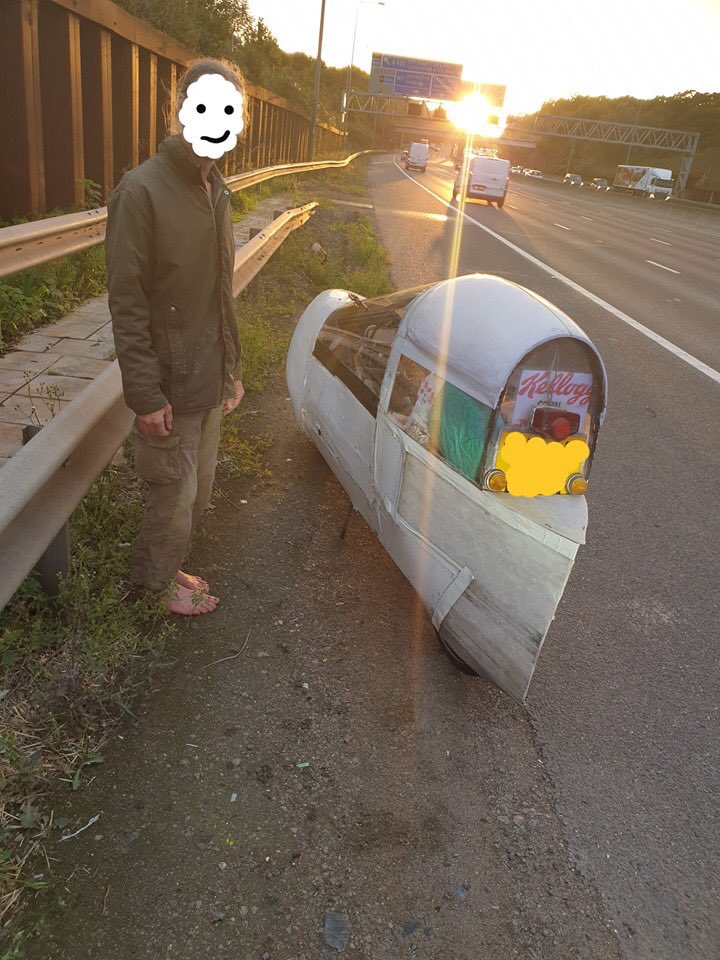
(461,418)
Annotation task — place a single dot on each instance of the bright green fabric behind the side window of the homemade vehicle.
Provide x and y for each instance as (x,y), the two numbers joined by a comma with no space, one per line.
(458,428)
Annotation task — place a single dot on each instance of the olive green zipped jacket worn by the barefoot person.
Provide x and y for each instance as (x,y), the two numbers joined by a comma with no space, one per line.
(170,255)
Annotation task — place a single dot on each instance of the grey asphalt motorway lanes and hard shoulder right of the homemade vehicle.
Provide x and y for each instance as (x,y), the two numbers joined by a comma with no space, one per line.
(625,699)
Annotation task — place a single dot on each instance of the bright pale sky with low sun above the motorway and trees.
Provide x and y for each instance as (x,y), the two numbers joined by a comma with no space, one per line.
(541,50)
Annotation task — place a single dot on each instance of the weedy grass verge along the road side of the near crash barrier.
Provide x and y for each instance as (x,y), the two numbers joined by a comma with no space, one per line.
(69,668)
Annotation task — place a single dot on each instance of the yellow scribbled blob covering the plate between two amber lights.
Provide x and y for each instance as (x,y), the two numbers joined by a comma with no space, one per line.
(534,467)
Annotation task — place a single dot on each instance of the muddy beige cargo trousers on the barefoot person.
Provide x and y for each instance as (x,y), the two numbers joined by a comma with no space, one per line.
(179,471)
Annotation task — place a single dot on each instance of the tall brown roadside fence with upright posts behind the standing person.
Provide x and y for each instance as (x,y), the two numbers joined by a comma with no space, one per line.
(85,90)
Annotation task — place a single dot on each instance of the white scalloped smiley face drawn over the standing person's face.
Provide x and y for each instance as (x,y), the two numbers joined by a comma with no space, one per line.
(212,115)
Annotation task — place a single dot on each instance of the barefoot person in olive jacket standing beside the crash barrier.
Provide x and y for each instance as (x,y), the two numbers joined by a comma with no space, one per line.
(170,255)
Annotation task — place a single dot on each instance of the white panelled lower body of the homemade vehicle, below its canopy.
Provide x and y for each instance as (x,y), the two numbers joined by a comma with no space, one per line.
(489,568)
